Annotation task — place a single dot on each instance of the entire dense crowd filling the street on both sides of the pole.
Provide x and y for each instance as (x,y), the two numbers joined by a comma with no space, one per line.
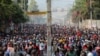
(31,40)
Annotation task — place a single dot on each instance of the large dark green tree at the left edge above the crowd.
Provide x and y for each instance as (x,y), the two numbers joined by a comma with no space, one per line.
(10,12)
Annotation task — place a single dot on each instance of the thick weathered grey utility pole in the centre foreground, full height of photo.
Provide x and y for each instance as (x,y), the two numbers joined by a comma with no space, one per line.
(49,18)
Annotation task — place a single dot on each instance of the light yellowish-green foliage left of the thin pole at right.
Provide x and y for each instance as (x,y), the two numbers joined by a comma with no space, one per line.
(81,7)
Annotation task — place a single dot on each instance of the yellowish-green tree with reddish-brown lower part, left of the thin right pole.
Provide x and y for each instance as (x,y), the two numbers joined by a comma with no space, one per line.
(80,9)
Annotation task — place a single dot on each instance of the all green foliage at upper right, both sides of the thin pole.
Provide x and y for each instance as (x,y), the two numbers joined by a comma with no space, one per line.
(83,9)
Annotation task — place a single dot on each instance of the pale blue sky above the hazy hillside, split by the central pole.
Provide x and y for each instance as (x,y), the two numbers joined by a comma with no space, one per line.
(55,4)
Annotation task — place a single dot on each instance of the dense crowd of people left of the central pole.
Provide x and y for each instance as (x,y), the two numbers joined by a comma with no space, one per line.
(30,40)
